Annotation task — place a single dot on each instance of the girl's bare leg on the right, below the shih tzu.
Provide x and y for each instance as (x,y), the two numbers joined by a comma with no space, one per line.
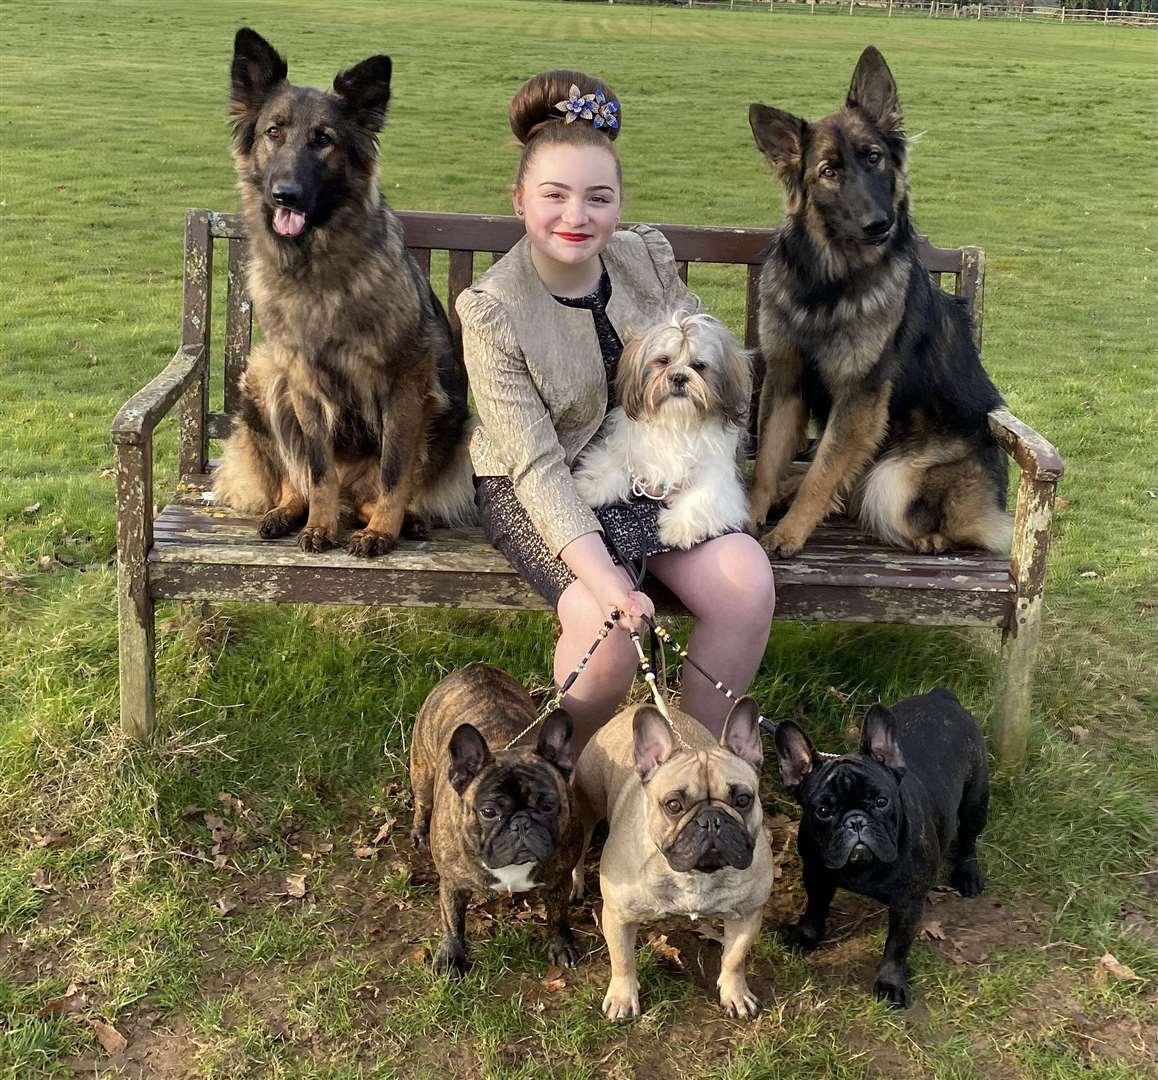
(728,585)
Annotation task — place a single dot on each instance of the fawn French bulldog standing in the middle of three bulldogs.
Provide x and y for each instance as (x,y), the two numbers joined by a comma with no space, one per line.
(685,839)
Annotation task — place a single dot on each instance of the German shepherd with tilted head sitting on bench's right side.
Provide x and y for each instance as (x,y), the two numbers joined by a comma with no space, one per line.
(856,336)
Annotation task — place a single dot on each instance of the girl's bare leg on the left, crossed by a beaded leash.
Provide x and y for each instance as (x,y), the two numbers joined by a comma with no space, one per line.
(607,679)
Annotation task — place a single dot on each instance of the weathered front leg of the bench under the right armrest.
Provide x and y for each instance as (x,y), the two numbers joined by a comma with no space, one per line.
(1020,648)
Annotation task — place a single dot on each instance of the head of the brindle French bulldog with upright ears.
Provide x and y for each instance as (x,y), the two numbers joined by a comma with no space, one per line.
(519,800)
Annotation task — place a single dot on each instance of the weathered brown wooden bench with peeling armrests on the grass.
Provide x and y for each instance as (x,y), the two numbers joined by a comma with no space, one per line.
(194,552)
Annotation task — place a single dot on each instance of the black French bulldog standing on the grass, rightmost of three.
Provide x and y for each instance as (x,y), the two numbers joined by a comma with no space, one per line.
(878,822)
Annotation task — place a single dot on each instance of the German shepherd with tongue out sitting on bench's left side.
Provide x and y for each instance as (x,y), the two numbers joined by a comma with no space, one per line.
(357,398)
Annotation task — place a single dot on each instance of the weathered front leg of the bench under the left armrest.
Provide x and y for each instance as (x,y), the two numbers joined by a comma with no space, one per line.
(135,605)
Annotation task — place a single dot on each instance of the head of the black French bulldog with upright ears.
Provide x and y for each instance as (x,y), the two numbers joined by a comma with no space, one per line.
(852,805)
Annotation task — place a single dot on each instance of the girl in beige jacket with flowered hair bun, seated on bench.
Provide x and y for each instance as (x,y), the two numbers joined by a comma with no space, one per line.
(543,335)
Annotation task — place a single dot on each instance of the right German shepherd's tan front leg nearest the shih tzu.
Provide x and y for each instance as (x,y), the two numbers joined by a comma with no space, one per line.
(783,424)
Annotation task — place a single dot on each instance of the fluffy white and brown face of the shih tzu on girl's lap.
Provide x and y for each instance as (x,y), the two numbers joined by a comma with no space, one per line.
(685,371)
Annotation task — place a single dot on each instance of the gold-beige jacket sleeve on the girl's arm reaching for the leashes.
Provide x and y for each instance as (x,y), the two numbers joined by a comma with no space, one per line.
(518,424)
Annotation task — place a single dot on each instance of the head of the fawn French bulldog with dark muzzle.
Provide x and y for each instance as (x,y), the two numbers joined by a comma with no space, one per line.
(702,807)
